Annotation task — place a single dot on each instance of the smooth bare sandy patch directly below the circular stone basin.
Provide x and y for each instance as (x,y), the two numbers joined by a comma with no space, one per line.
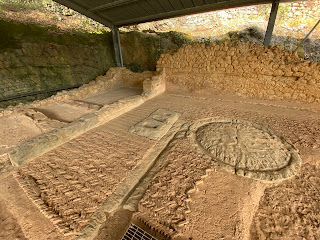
(224,205)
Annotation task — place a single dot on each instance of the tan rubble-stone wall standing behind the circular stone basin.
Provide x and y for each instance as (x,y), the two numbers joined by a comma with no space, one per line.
(247,68)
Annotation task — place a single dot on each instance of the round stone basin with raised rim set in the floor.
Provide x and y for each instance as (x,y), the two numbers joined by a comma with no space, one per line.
(247,149)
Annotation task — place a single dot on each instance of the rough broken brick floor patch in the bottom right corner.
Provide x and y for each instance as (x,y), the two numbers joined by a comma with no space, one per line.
(290,210)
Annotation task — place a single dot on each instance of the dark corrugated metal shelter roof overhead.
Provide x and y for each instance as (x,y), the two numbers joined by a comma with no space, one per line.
(129,12)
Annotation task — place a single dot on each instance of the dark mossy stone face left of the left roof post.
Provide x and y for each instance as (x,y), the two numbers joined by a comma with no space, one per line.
(34,58)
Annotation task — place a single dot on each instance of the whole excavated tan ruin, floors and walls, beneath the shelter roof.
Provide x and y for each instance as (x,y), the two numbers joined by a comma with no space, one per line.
(222,141)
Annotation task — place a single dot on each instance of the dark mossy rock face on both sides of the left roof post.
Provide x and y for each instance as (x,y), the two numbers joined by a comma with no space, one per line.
(35,58)
